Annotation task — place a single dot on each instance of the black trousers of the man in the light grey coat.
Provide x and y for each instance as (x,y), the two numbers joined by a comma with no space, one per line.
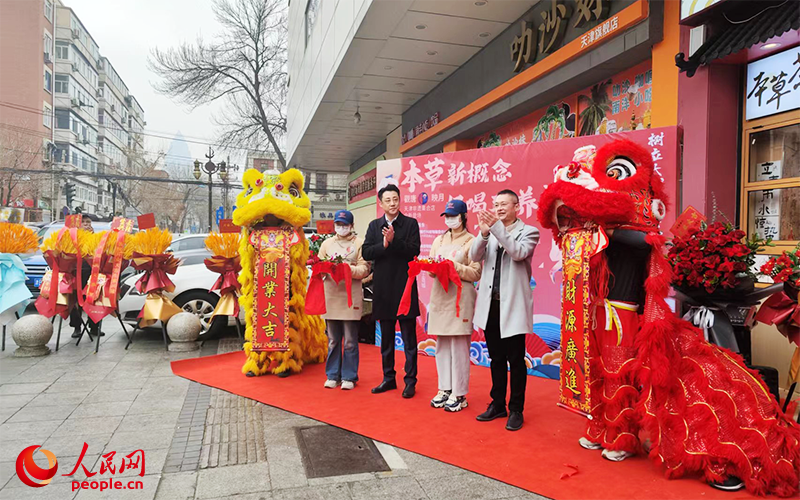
(506,353)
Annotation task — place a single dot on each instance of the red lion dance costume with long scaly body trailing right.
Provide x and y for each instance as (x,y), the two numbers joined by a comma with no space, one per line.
(704,411)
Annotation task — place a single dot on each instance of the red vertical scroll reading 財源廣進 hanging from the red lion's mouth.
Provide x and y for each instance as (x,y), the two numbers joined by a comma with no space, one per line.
(575,379)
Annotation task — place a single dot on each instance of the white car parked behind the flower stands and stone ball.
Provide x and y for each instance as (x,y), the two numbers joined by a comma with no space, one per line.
(192,282)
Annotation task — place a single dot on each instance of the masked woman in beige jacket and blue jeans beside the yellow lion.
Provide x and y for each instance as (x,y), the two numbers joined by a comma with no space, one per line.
(342,321)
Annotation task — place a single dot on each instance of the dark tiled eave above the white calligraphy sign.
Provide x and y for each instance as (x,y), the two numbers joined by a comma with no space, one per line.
(736,36)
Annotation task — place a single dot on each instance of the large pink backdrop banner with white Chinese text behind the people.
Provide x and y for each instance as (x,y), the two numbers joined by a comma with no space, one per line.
(428,182)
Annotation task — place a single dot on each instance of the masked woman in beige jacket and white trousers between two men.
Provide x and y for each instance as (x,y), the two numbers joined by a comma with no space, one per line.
(453,332)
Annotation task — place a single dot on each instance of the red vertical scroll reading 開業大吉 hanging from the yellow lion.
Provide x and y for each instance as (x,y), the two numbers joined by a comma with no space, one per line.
(272,279)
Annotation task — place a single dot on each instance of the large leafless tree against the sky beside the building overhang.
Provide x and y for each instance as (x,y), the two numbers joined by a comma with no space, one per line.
(244,64)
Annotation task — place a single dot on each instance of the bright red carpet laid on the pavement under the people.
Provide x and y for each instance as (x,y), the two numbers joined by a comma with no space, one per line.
(533,458)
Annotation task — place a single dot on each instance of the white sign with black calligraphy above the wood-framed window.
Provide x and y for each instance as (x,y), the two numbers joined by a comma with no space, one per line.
(773,84)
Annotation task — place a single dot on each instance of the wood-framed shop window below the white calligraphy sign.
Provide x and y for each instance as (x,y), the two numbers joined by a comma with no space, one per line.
(770,203)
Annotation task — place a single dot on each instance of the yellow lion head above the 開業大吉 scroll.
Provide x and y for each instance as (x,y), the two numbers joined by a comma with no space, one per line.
(271,199)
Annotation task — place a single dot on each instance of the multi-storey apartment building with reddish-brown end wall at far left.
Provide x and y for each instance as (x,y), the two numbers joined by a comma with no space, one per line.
(70,100)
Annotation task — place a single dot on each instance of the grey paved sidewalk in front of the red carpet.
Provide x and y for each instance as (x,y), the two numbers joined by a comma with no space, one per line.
(199,443)
